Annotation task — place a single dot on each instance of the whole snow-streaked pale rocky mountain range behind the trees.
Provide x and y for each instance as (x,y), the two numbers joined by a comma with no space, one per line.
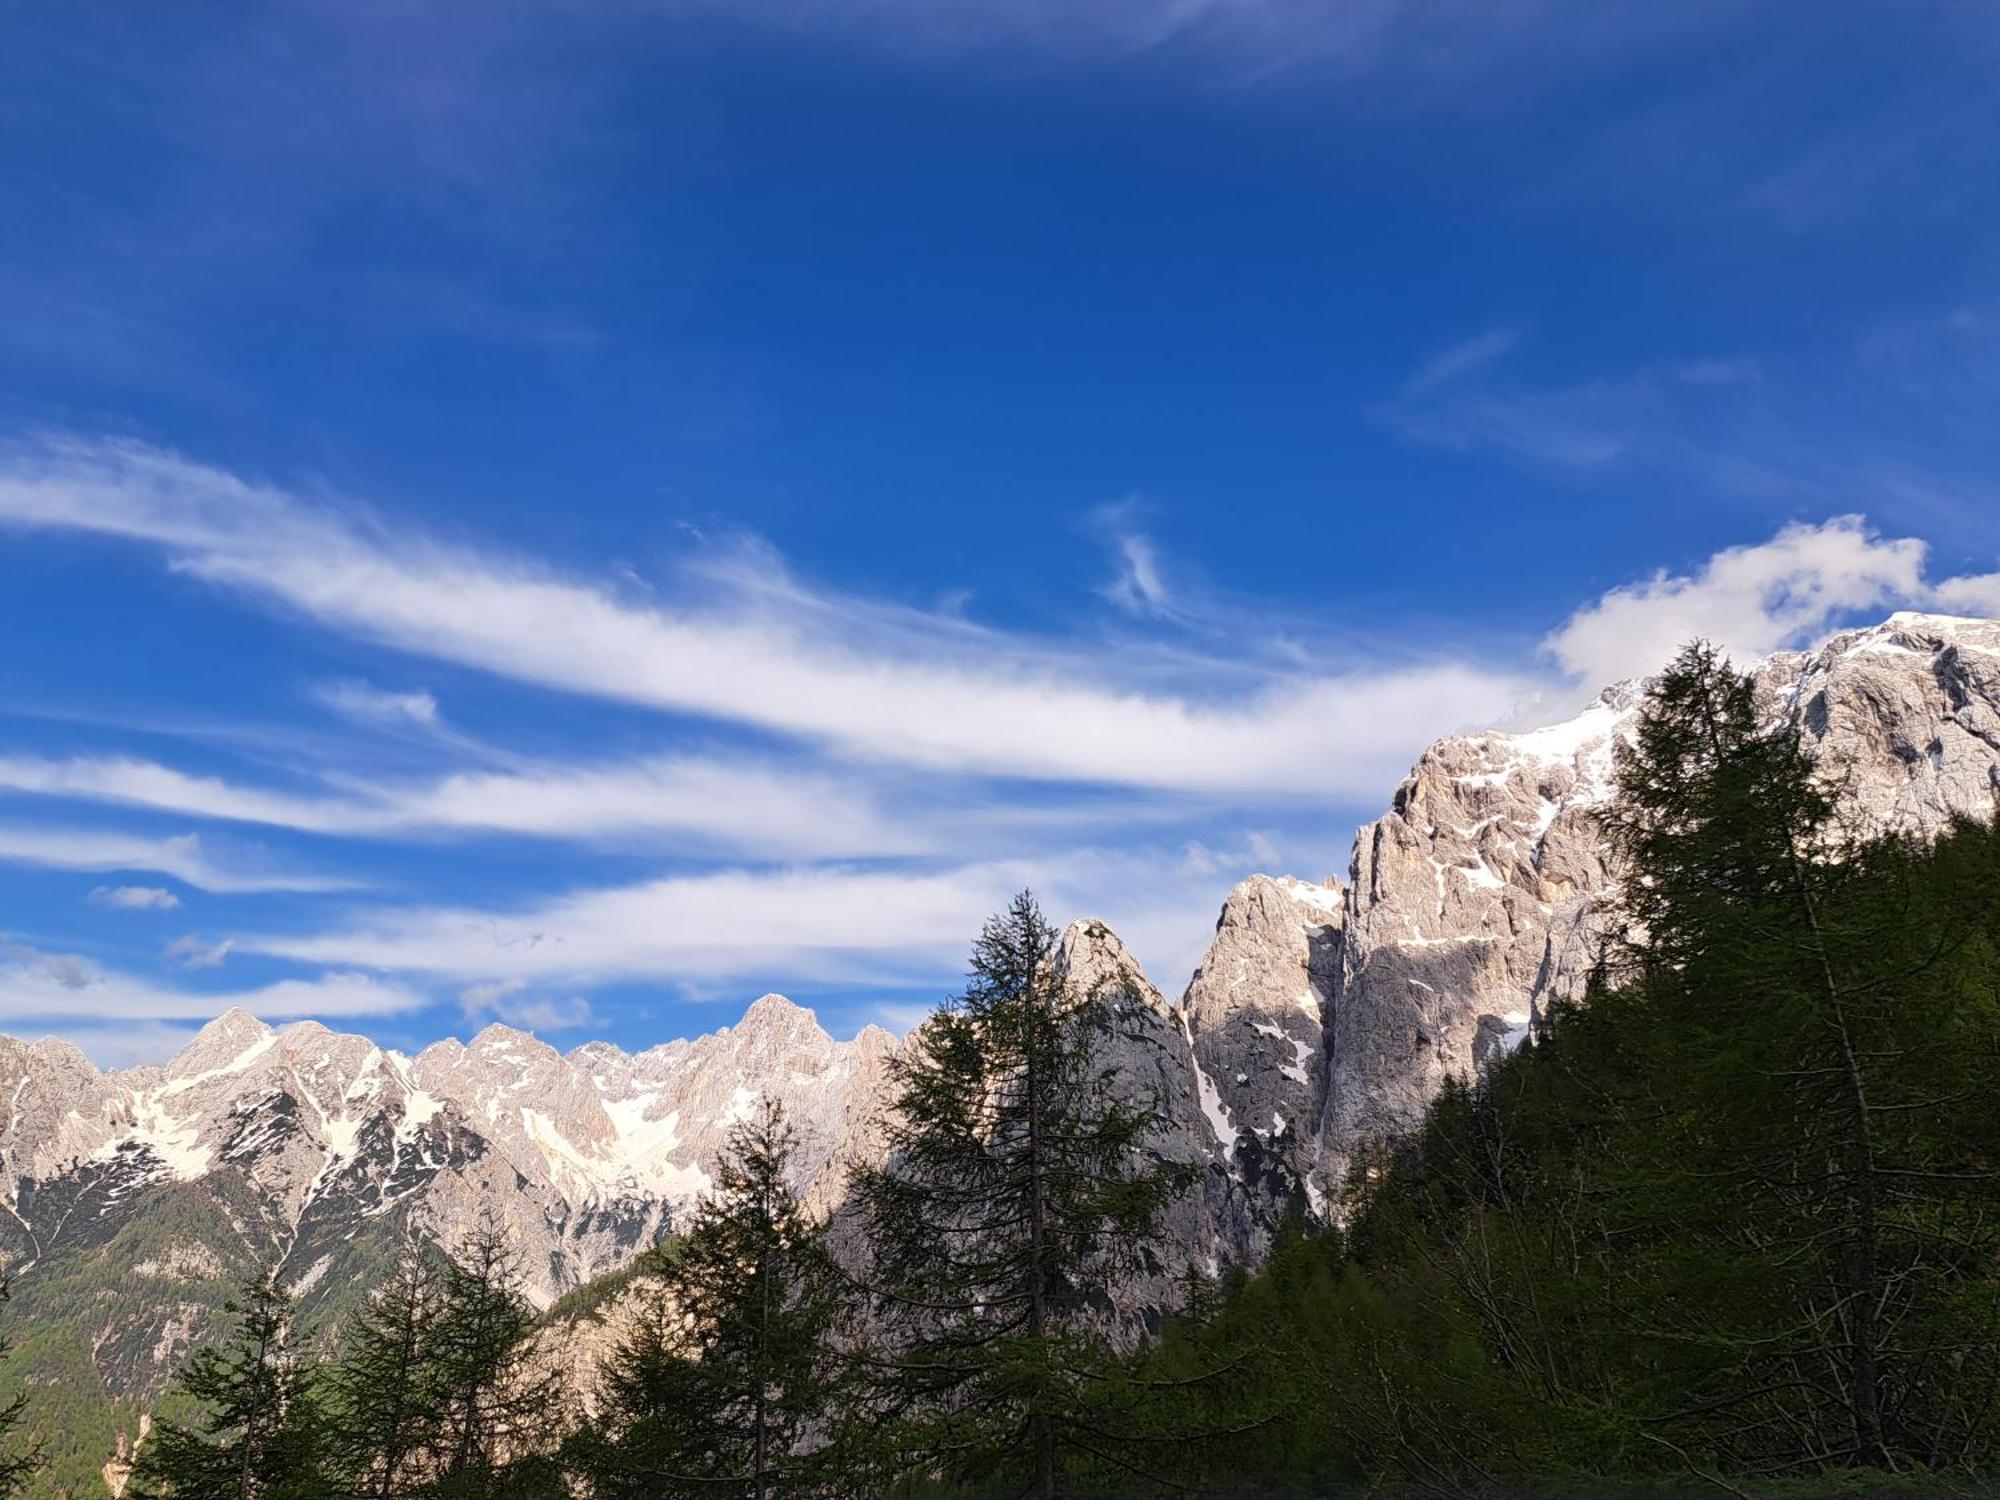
(1323,1015)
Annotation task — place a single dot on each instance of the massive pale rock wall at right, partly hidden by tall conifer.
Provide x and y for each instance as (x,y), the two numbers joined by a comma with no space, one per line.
(1481,895)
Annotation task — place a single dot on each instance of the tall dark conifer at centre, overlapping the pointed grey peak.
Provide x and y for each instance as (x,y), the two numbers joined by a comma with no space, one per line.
(1013,1197)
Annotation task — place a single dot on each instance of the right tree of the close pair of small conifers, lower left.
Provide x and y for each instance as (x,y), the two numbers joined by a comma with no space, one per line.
(501,1411)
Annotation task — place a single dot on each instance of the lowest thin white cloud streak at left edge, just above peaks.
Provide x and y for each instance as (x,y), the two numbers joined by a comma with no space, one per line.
(45,985)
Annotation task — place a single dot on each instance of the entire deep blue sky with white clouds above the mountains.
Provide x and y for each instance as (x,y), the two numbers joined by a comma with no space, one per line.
(585,513)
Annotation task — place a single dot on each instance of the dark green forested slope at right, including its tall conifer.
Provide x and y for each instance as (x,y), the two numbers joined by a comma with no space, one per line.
(1735,1217)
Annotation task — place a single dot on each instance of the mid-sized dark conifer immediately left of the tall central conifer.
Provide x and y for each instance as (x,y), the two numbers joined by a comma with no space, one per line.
(729,1379)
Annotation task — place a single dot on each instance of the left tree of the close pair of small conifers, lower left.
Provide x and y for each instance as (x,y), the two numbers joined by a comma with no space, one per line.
(387,1393)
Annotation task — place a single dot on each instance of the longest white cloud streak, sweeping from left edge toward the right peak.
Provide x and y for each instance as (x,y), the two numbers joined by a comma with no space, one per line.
(863,679)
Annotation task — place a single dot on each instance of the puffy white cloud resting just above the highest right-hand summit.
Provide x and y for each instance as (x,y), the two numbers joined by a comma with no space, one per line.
(1749,601)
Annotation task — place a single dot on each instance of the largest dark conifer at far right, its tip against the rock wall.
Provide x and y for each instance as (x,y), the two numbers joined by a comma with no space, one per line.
(1803,1019)
